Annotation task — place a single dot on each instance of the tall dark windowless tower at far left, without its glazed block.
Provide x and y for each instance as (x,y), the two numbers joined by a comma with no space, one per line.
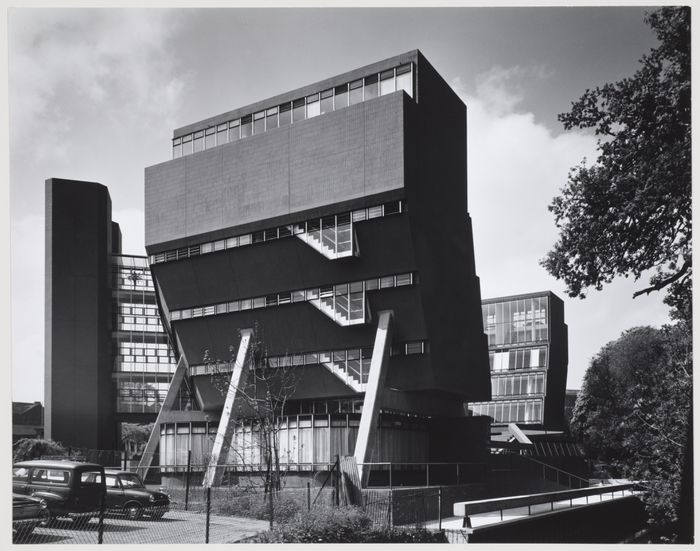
(78,345)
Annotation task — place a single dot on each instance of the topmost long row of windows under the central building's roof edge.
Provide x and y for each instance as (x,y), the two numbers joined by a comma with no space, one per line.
(332,99)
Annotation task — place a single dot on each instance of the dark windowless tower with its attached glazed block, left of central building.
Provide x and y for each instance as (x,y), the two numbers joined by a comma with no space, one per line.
(107,360)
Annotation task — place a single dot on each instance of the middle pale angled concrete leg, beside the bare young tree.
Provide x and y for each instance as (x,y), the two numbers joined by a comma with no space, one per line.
(222,442)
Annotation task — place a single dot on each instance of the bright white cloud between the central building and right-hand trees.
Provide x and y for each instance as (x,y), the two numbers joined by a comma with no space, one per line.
(516,166)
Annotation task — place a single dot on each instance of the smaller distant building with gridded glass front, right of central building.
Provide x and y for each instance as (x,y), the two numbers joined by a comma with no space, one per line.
(528,355)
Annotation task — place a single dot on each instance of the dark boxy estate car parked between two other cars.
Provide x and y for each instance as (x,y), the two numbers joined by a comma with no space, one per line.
(69,488)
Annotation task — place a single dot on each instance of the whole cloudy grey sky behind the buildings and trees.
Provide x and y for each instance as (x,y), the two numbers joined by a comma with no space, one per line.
(94,94)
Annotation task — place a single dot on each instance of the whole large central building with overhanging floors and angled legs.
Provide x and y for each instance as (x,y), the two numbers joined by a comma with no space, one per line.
(333,220)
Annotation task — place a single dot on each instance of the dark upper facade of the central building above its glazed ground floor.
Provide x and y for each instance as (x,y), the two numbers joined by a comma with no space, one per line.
(402,152)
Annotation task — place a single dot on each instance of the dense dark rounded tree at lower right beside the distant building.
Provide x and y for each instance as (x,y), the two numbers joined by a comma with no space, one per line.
(633,411)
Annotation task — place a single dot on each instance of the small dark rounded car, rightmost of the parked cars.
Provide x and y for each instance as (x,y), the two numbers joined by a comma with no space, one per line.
(126,493)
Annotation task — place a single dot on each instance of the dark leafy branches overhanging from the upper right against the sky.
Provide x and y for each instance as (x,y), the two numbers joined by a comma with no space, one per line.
(631,211)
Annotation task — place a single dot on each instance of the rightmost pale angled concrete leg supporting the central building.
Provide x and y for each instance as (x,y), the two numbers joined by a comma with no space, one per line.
(367,432)
